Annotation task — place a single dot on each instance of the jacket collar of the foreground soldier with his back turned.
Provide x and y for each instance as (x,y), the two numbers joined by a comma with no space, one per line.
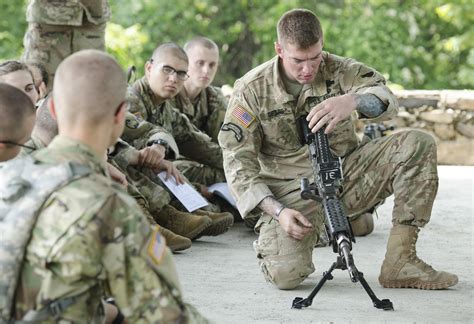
(81,152)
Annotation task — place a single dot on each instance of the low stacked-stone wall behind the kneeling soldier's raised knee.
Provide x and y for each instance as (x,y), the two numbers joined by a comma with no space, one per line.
(448,115)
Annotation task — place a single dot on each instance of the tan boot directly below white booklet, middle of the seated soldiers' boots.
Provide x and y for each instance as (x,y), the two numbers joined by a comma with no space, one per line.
(182,223)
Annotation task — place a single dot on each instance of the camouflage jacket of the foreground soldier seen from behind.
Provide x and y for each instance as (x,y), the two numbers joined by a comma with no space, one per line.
(92,241)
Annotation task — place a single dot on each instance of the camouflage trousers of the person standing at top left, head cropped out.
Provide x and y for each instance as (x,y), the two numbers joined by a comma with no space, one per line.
(50,44)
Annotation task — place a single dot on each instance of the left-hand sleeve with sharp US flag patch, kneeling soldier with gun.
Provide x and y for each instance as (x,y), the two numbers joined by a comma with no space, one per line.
(241,139)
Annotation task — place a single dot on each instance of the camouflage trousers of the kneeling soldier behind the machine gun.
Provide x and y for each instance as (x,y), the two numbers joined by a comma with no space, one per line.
(403,164)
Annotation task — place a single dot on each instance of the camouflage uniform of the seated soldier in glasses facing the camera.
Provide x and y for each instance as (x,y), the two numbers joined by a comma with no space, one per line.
(148,121)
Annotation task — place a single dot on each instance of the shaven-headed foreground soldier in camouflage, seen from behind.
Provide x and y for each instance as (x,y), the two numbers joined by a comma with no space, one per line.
(91,240)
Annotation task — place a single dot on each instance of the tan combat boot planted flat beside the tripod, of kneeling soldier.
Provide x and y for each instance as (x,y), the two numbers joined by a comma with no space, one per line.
(403,269)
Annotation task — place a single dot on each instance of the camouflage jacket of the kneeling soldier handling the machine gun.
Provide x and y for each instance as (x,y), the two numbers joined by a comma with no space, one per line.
(263,154)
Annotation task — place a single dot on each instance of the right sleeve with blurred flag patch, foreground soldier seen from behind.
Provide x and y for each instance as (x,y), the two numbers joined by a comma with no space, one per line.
(141,274)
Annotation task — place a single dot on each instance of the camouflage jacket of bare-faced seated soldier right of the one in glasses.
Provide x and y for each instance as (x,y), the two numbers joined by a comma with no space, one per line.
(207,112)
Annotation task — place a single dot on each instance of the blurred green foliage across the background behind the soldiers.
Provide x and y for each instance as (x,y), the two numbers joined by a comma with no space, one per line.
(417,44)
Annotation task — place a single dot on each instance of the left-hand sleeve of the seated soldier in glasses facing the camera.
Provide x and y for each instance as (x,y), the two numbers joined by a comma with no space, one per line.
(138,132)
